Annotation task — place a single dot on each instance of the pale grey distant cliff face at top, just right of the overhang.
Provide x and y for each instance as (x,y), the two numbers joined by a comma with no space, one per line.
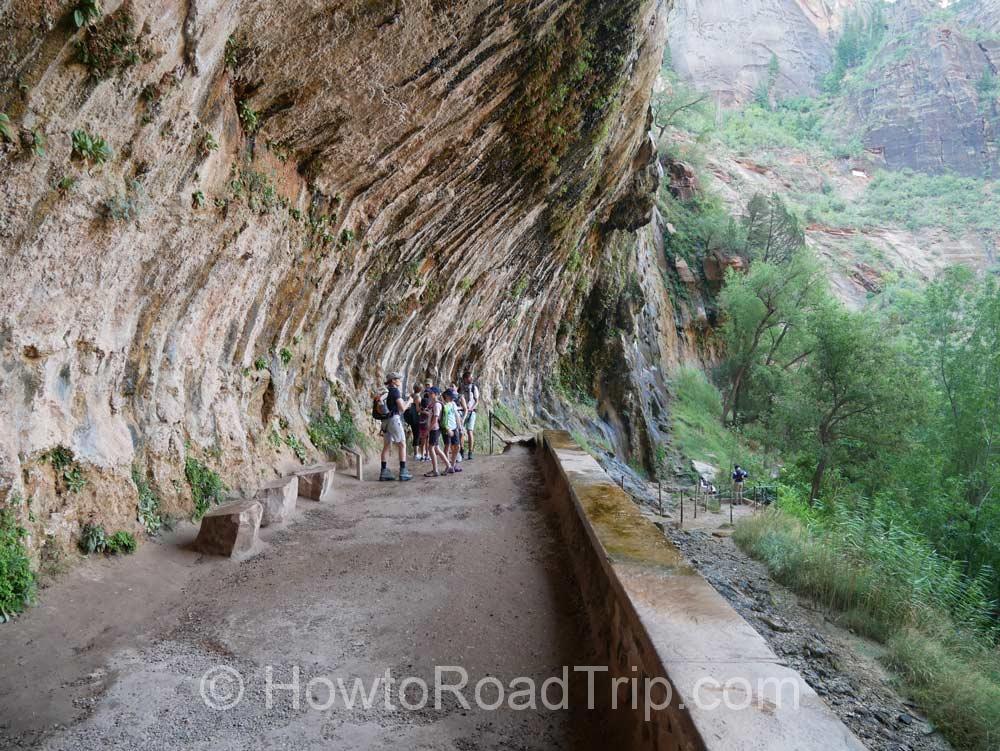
(726,47)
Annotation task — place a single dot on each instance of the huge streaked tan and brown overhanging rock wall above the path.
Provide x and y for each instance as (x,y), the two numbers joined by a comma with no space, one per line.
(298,198)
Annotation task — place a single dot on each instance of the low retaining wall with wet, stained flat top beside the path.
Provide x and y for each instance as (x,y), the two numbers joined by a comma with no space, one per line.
(653,616)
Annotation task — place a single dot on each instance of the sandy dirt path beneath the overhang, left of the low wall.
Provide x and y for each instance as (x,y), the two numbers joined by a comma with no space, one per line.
(462,571)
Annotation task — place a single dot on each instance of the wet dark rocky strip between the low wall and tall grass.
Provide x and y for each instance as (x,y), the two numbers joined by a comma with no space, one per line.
(840,667)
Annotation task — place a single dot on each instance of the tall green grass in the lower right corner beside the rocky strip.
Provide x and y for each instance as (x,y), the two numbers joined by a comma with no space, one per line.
(890,584)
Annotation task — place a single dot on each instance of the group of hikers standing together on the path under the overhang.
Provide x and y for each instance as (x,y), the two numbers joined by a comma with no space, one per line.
(442,424)
